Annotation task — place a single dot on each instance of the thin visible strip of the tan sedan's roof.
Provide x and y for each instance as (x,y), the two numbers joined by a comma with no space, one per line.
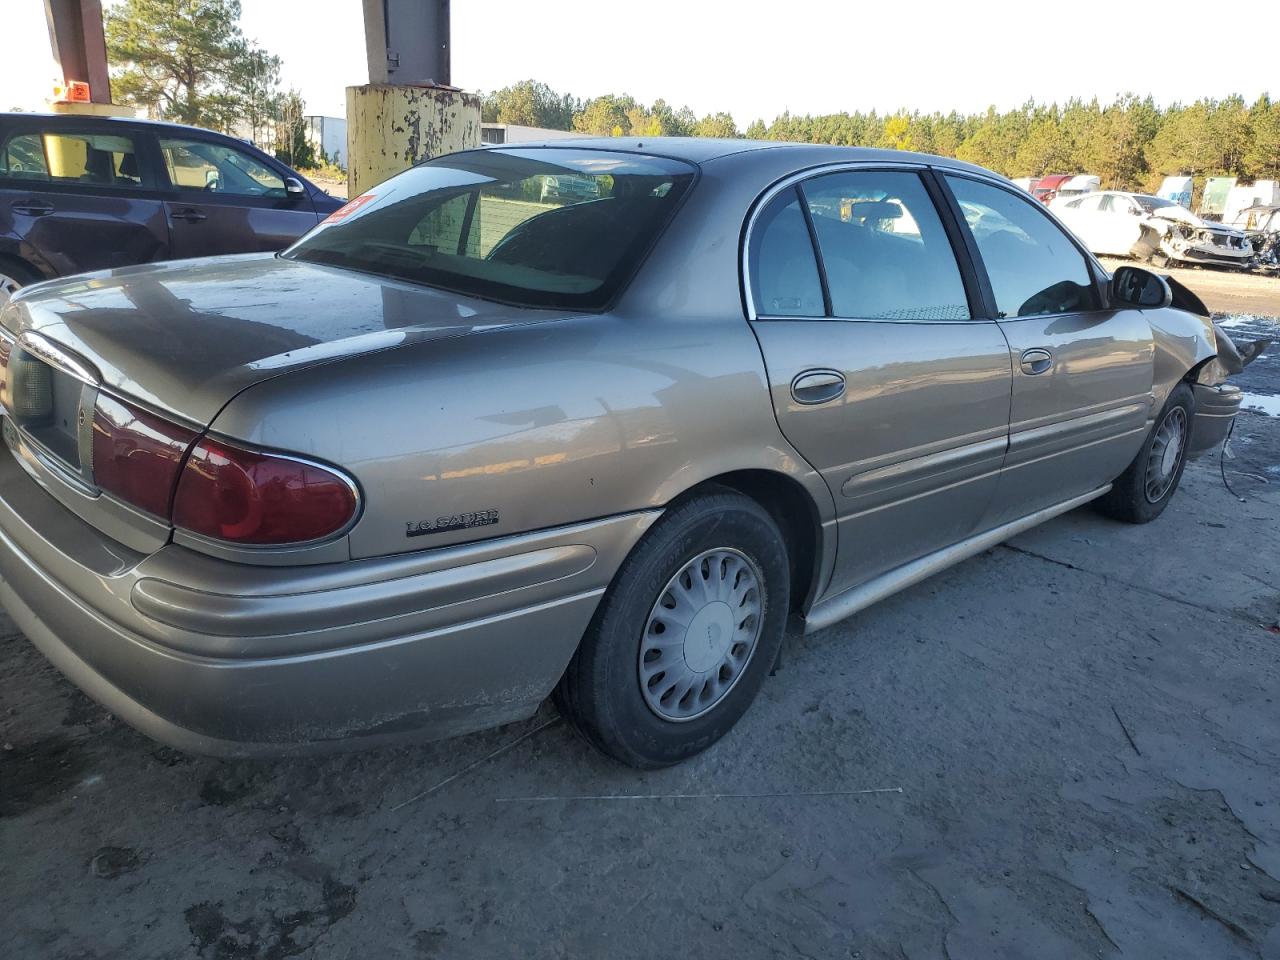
(700,150)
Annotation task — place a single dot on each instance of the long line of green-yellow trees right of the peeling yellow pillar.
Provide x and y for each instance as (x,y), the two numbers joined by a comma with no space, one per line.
(1131,143)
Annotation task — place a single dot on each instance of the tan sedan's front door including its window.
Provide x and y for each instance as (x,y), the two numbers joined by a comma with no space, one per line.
(1082,373)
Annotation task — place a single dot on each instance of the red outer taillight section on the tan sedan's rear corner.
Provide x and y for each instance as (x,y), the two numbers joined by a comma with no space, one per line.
(258,499)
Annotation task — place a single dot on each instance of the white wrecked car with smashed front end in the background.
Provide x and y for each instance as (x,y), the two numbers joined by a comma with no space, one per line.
(1150,228)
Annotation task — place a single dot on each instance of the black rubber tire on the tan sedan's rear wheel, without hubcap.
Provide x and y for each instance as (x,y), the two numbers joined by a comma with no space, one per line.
(601,692)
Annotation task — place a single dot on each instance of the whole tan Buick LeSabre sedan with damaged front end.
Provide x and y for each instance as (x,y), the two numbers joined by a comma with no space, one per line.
(449,455)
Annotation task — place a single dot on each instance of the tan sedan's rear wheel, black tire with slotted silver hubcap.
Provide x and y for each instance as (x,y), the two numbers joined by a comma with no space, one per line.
(685,636)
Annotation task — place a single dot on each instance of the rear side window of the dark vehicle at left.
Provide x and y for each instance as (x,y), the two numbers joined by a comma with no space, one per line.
(94,159)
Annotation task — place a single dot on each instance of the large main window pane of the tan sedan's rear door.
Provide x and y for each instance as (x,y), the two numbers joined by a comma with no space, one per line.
(885,250)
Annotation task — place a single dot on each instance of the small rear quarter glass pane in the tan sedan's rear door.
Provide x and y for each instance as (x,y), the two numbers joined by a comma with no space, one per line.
(783,267)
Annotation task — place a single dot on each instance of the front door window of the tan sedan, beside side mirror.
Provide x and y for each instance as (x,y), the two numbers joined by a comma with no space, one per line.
(1034,267)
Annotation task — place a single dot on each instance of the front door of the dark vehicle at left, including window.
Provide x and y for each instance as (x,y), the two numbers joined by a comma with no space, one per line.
(228,200)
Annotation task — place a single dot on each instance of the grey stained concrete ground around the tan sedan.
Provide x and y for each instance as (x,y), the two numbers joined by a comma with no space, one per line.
(1068,747)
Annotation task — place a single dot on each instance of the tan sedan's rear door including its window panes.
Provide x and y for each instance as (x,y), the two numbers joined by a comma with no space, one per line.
(880,374)
